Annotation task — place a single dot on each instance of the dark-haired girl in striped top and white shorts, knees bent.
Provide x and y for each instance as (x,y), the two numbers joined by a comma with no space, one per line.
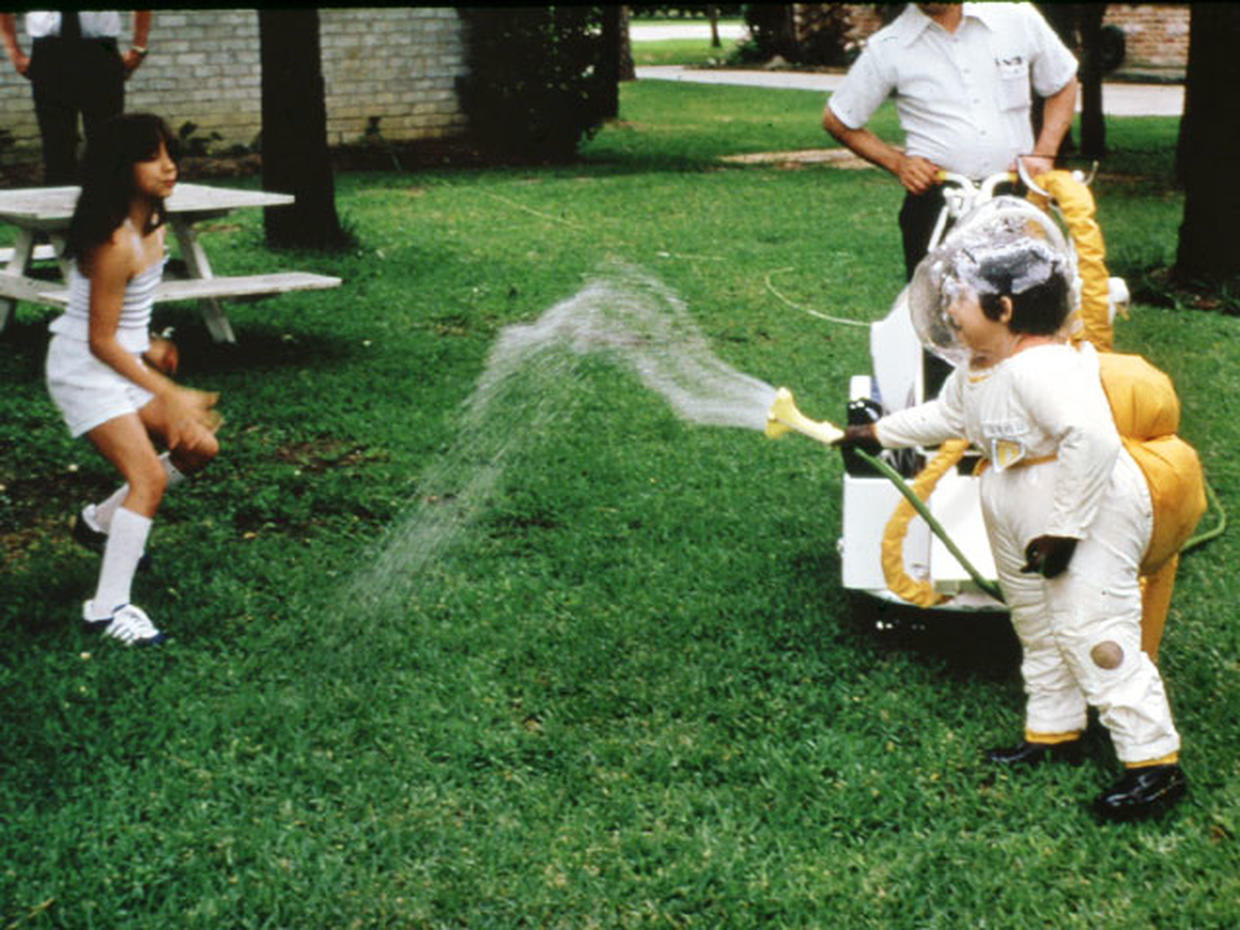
(96,369)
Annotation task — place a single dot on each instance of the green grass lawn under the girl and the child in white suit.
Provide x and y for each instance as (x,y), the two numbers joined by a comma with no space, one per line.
(616,681)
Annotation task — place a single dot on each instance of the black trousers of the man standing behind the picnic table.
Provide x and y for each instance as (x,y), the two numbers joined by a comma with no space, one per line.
(71,79)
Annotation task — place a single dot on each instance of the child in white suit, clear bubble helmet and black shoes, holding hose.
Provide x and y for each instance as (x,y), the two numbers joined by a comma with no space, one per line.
(1067,509)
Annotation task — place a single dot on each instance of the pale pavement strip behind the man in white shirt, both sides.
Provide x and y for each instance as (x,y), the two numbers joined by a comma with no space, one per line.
(1119,100)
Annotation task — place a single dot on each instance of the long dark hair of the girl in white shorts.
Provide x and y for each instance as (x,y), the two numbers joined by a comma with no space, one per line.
(108,179)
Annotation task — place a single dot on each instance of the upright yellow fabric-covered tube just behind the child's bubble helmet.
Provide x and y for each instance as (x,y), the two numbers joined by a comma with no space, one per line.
(1077,206)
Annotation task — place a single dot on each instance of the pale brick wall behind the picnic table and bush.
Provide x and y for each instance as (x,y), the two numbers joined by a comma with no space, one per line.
(399,65)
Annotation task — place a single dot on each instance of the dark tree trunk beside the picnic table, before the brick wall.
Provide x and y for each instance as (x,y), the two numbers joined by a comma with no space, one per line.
(296,158)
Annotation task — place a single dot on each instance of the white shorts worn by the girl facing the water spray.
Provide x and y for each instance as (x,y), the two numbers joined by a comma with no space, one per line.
(86,391)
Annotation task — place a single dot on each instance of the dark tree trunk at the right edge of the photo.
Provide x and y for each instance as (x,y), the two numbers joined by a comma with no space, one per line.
(1210,148)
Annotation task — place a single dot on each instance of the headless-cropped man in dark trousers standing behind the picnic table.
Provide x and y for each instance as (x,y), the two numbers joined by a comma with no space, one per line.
(75,69)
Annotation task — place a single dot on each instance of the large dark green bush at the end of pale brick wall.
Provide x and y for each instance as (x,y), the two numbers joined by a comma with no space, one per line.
(536,81)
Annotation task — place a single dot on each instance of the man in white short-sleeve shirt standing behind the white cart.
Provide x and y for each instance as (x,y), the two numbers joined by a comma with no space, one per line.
(963,77)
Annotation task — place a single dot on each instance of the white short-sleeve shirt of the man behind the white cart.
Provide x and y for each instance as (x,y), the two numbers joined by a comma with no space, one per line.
(964,97)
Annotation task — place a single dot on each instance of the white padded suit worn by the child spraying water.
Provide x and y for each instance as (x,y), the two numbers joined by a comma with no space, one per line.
(1057,468)
